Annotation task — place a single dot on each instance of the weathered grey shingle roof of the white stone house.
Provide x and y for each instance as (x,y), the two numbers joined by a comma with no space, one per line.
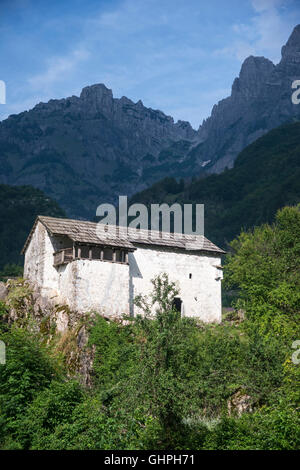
(81,231)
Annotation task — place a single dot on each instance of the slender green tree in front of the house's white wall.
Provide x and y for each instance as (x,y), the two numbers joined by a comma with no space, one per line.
(167,360)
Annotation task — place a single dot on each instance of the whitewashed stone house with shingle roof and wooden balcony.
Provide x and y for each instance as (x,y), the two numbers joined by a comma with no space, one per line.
(87,267)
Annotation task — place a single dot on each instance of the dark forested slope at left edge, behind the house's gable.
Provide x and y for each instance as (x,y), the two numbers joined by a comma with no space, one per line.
(19,206)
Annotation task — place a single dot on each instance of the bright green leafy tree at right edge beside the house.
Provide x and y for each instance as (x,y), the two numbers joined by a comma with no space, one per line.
(265,265)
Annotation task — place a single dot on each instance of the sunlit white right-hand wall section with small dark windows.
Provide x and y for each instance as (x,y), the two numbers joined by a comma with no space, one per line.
(201,295)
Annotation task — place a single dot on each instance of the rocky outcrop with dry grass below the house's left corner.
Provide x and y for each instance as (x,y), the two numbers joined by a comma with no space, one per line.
(67,330)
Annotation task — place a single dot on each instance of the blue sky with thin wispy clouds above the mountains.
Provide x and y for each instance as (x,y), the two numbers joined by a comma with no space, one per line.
(179,56)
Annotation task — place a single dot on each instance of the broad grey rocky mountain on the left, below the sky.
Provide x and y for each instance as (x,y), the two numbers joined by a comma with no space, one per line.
(88,150)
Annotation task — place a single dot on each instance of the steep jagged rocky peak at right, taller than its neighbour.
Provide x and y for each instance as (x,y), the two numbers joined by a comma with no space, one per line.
(260,100)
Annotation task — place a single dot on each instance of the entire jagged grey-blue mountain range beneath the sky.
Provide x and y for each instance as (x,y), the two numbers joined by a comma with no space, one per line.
(83,151)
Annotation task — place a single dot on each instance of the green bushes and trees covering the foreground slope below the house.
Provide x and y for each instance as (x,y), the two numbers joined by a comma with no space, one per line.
(169,382)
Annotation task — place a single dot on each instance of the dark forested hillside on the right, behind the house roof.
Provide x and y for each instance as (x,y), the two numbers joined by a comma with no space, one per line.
(265,177)
